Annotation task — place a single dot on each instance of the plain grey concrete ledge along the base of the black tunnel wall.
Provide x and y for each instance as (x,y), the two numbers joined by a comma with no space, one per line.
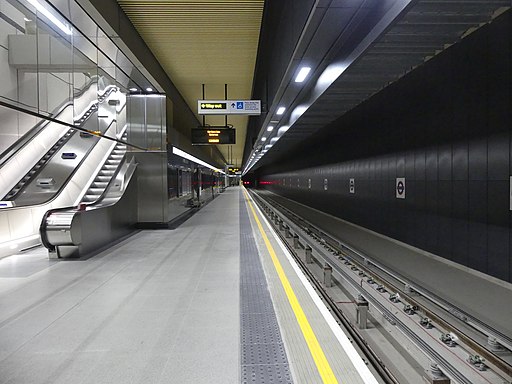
(482,296)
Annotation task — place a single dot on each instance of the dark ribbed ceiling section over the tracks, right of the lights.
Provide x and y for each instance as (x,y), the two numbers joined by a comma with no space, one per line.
(424,30)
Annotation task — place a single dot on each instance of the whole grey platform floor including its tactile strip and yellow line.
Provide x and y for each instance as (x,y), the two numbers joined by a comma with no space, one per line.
(171,306)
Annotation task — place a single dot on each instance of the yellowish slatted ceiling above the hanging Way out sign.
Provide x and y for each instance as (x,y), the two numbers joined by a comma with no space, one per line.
(210,42)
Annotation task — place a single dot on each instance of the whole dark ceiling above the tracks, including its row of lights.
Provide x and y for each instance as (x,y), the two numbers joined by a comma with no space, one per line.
(379,42)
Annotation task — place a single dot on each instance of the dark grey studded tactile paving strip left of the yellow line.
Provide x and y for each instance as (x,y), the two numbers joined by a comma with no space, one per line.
(264,358)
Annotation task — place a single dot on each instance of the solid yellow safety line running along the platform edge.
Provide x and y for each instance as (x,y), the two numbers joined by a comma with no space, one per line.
(324,369)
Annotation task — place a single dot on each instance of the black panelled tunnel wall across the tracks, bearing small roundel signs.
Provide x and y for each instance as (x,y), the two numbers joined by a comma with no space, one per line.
(445,127)
